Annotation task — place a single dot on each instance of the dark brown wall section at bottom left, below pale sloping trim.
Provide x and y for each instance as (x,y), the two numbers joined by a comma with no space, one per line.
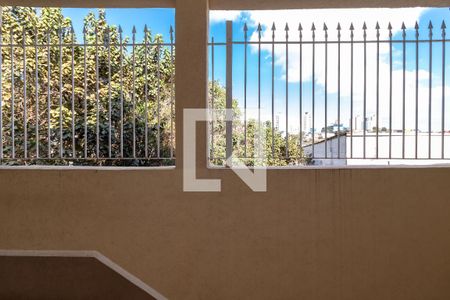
(56,277)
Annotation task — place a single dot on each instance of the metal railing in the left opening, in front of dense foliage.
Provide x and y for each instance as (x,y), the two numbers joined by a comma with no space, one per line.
(106,100)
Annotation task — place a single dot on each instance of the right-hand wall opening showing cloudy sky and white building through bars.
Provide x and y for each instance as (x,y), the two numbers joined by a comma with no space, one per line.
(332,87)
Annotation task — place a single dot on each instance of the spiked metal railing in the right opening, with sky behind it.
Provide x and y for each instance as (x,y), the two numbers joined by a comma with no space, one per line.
(384,80)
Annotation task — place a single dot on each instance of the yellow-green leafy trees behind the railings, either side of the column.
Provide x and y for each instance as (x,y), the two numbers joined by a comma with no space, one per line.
(86,93)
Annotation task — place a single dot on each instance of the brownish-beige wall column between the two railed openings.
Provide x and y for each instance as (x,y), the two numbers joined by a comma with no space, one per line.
(191,70)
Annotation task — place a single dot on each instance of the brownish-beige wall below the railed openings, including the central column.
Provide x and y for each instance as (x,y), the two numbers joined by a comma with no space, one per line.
(316,234)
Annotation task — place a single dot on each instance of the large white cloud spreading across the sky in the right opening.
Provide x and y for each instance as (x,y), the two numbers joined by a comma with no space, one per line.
(347,16)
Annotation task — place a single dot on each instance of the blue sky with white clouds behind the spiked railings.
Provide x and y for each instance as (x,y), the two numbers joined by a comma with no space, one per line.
(160,20)
